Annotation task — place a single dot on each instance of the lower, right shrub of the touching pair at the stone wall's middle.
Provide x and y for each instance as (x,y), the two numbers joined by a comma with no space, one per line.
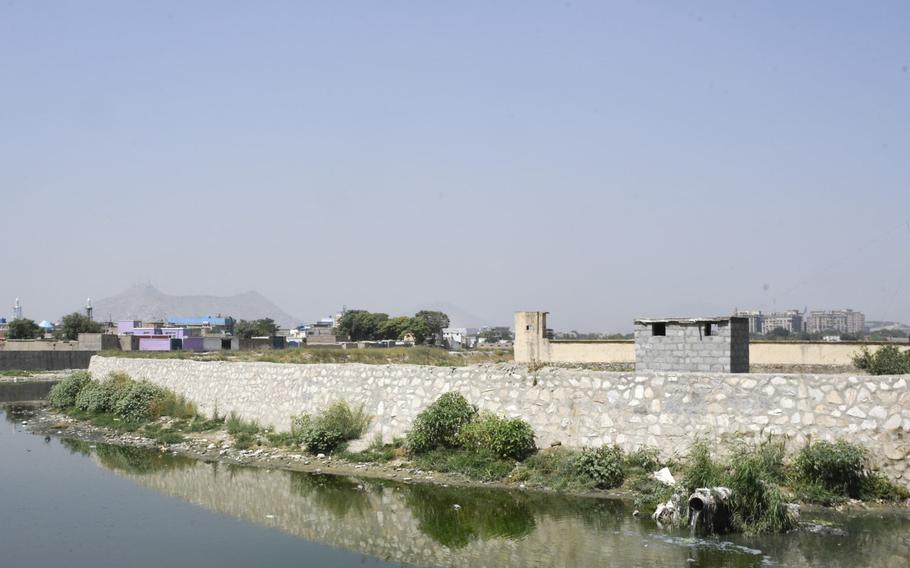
(509,438)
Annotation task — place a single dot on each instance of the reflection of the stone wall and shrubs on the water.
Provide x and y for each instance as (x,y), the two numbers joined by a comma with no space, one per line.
(439,526)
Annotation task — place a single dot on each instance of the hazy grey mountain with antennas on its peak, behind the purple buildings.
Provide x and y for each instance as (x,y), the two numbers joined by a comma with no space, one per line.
(145,302)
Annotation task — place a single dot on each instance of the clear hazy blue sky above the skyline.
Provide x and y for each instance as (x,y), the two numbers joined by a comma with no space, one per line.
(599,160)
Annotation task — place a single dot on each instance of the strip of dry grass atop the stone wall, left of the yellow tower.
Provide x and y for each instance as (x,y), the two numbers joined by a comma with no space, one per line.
(418,355)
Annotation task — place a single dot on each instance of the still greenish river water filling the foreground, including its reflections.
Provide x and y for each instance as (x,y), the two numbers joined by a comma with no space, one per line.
(74,504)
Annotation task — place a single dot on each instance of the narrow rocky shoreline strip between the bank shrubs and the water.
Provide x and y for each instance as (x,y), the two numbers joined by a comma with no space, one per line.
(215,446)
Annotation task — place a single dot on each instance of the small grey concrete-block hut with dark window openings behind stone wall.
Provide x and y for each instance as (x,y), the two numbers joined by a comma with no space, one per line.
(712,344)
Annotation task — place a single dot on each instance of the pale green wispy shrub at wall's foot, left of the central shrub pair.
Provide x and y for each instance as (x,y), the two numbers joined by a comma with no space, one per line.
(323,433)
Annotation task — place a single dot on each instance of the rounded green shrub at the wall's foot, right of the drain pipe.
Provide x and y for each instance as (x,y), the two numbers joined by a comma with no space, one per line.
(838,467)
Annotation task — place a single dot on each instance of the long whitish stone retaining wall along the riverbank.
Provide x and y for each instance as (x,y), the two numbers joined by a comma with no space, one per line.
(573,406)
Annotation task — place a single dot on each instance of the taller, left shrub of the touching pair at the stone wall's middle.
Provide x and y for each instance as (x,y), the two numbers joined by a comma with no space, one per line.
(439,424)
